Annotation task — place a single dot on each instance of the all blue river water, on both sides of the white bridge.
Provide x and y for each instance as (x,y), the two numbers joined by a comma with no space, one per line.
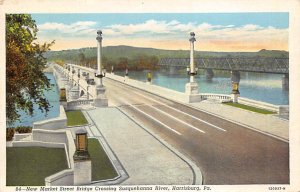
(257,86)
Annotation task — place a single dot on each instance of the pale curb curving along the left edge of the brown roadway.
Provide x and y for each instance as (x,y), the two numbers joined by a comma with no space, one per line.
(197,174)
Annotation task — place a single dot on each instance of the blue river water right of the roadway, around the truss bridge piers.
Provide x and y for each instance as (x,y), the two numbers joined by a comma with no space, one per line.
(258,86)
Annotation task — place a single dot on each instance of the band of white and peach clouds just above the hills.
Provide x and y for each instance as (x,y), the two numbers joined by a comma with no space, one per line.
(175,34)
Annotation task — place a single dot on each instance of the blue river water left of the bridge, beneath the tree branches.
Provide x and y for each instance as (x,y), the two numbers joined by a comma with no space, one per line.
(53,98)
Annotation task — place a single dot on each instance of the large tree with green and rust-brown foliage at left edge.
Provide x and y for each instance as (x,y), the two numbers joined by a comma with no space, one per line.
(25,80)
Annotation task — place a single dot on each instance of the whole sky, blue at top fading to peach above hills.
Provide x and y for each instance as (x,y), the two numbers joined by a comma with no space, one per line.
(214,31)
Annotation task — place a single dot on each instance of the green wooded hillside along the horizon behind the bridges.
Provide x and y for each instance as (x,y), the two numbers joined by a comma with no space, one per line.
(138,58)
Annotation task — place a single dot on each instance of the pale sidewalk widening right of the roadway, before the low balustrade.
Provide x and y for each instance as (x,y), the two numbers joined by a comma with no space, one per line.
(268,124)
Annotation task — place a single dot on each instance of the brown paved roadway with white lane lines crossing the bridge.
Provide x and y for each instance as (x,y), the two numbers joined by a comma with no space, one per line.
(226,153)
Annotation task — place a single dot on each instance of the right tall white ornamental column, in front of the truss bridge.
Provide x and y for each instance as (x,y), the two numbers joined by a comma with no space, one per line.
(191,88)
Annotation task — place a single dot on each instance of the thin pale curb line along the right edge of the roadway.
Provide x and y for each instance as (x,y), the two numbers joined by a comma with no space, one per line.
(213,114)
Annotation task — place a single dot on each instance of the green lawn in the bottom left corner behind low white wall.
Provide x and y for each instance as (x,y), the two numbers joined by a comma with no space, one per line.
(30,165)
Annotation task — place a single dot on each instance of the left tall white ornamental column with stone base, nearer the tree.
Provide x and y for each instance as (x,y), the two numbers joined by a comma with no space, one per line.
(100,99)
